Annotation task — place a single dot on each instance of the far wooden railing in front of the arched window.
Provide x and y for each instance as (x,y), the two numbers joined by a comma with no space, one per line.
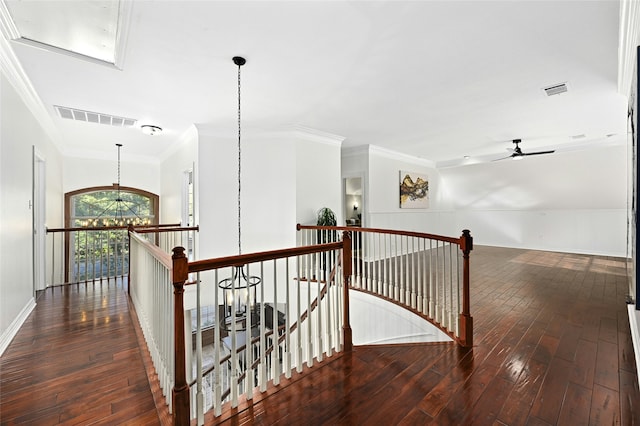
(75,255)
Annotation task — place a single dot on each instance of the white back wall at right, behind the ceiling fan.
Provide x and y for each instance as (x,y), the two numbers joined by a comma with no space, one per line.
(569,201)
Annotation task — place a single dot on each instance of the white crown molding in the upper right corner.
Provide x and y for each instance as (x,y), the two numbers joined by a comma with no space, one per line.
(628,41)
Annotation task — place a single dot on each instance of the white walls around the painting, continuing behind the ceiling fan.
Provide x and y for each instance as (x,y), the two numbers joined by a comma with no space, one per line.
(569,201)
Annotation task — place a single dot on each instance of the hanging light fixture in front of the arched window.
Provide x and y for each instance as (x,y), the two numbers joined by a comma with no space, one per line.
(118,211)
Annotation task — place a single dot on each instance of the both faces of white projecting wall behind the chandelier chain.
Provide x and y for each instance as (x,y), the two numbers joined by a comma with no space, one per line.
(272,195)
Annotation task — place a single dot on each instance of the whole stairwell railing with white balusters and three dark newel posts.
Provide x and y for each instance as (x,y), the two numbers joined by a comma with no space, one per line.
(299,314)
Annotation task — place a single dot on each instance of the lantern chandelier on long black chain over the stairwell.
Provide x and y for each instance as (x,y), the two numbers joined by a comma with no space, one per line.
(240,289)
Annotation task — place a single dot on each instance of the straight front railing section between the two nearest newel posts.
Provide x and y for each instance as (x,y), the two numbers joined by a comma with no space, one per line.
(296,321)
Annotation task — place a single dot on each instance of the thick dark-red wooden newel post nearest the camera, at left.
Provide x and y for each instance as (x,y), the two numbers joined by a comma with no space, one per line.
(181,411)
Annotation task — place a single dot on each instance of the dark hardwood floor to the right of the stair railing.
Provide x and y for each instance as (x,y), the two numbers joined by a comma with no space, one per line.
(552,347)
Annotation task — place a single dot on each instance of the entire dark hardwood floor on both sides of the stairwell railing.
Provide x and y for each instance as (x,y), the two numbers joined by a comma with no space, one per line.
(552,347)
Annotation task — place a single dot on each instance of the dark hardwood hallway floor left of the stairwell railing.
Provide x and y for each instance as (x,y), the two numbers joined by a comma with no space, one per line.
(76,360)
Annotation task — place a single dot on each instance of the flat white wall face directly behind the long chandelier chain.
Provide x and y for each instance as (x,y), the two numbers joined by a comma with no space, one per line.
(268,193)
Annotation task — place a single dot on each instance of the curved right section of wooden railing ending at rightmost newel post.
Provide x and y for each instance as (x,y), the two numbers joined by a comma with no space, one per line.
(425,273)
